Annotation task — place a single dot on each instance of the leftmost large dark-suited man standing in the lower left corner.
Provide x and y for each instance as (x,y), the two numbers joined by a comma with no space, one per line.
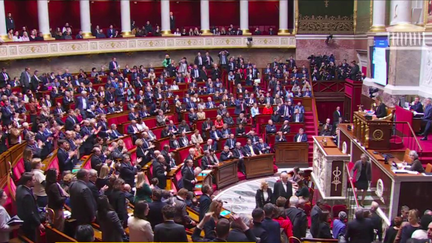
(27,209)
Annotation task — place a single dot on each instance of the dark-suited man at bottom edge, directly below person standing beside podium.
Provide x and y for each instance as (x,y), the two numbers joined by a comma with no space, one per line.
(359,229)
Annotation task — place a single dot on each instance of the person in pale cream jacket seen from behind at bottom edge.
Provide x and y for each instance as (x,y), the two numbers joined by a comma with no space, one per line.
(139,228)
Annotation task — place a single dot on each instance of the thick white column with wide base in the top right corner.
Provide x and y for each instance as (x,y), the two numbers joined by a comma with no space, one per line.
(400,17)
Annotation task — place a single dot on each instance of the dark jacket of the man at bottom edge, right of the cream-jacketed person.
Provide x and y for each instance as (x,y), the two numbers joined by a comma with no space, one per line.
(170,232)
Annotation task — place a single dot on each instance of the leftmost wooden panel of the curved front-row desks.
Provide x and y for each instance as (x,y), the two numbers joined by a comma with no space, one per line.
(226,173)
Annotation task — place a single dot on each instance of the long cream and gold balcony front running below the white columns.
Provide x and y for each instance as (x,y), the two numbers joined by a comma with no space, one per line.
(13,50)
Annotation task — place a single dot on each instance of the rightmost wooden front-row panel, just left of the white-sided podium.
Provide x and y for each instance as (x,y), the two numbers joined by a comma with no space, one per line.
(290,154)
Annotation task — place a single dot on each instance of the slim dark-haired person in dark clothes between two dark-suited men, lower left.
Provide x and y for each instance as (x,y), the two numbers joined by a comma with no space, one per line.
(56,198)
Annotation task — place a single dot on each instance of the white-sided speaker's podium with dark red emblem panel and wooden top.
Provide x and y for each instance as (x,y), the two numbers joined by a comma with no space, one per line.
(329,169)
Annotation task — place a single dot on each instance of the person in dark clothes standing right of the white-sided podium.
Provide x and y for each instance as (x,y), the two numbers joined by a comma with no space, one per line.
(363,176)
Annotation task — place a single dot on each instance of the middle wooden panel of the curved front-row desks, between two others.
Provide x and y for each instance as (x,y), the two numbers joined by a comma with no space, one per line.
(259,165)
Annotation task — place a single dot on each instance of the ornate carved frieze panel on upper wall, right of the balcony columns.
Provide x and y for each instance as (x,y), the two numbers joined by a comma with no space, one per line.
(326,24)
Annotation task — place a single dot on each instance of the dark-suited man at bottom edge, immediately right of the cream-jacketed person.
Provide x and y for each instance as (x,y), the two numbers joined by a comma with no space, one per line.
(169,231)
